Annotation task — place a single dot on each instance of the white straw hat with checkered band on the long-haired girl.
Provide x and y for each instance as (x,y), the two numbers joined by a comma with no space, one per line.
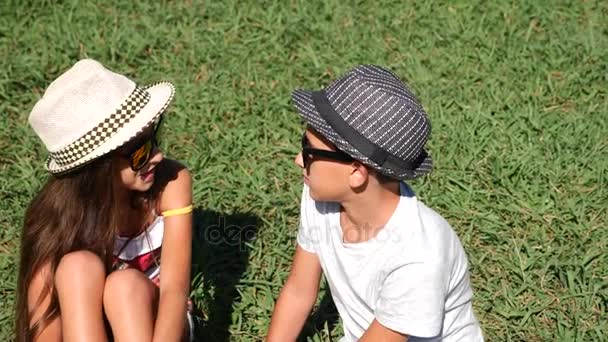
(89,111)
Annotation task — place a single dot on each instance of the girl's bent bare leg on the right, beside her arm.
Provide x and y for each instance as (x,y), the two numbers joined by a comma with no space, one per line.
(130,301)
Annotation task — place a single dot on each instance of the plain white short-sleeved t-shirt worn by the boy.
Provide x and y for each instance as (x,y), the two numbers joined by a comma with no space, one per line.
(412,276)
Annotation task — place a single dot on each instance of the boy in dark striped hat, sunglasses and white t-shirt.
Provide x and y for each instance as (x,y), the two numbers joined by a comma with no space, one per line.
(396,269)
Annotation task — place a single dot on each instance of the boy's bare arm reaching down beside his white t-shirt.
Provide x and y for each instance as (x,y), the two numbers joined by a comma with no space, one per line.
(297,297)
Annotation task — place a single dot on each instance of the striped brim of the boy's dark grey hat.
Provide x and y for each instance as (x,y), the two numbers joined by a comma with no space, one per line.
(303,102)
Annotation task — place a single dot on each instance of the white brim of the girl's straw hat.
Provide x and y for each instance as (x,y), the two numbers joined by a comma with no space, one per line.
(161,95)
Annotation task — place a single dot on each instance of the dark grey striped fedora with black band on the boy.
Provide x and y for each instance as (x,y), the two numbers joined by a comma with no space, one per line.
(373,116)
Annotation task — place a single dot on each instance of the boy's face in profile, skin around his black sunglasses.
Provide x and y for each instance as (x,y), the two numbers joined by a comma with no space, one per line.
(327,178)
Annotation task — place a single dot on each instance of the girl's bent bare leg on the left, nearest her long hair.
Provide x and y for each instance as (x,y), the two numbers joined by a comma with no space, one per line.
(80,279)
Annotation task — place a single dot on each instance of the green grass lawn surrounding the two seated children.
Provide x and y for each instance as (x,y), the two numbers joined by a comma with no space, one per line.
(516,94)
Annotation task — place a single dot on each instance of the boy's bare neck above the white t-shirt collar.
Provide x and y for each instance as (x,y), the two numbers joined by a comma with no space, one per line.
(364,214)
